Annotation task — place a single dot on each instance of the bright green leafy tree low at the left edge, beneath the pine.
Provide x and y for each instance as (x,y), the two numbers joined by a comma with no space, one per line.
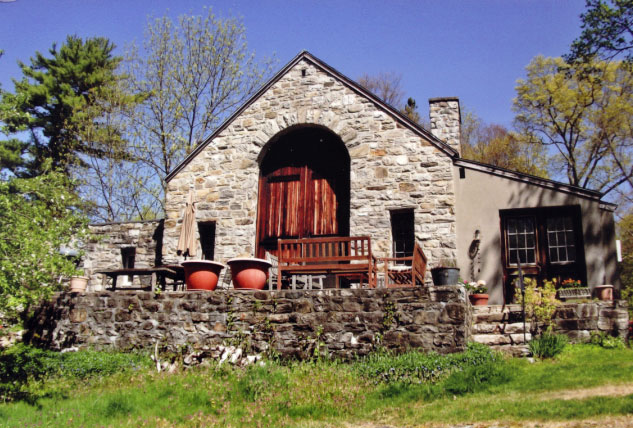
(39,217)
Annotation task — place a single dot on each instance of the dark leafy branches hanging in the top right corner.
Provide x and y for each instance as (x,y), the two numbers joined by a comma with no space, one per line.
(607,32)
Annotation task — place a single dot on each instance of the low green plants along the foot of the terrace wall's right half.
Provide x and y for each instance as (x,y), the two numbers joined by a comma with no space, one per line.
(418,367)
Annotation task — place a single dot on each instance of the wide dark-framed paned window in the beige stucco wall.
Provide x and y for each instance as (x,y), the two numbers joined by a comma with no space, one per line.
(547,241)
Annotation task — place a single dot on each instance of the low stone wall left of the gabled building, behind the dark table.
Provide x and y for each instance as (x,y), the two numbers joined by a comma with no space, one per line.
(104,250)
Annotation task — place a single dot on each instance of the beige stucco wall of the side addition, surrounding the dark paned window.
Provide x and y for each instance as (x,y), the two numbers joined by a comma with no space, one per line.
(480,196)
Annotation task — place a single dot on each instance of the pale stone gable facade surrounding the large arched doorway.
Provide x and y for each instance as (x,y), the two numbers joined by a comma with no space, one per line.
(392,167)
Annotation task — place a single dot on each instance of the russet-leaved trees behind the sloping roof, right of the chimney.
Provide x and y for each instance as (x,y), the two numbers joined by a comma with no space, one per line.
(494,145)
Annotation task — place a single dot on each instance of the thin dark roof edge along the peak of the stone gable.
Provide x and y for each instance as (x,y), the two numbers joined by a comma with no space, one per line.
(349,83)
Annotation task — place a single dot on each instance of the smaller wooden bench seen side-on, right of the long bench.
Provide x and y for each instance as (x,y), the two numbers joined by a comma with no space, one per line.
(405,271)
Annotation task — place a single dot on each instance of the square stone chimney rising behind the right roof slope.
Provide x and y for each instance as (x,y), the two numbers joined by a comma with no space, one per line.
(446,120)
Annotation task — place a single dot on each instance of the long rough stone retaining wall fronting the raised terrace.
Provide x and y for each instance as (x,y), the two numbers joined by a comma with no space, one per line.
(349,322)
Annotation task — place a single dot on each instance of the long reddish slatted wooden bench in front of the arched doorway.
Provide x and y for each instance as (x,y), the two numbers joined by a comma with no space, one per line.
(342,256)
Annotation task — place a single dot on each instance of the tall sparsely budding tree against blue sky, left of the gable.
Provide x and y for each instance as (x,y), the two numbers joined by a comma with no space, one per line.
(193,73)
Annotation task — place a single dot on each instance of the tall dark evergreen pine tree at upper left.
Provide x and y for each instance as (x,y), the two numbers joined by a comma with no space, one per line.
(49,102)
